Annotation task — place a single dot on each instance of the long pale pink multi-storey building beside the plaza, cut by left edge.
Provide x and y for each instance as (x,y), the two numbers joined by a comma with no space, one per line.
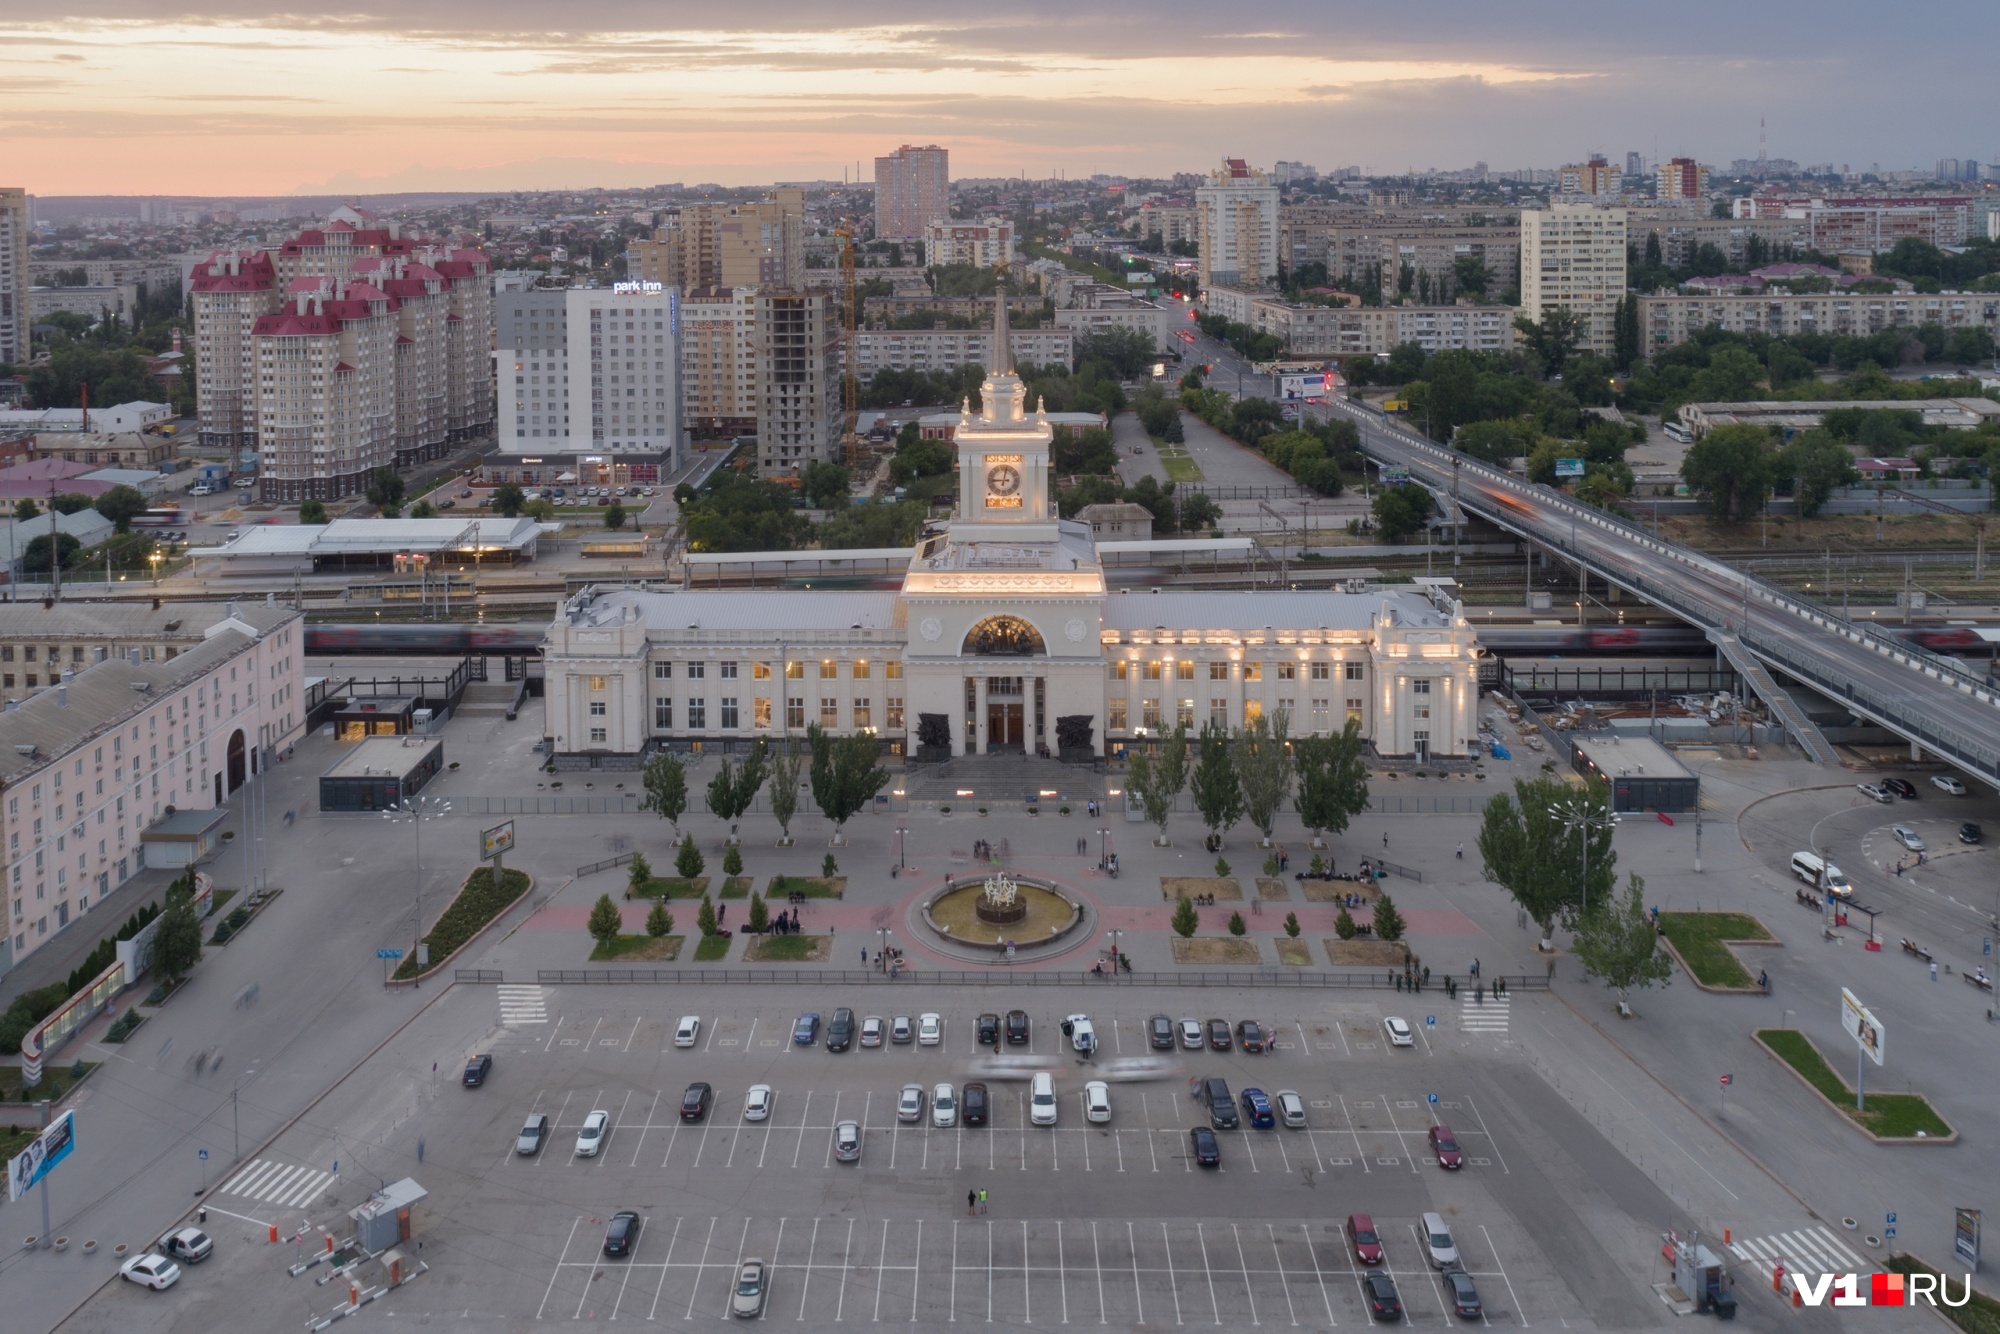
(107,751)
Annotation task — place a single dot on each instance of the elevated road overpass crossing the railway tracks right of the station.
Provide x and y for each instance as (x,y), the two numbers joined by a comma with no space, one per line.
(1937,703)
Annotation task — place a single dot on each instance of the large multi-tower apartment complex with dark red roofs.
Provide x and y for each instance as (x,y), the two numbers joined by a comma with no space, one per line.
(343,351)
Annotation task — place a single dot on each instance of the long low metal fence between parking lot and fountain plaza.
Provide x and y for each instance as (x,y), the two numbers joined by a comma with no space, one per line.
(999,977)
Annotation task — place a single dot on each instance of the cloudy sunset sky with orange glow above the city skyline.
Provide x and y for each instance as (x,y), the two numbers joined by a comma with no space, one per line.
(125,97)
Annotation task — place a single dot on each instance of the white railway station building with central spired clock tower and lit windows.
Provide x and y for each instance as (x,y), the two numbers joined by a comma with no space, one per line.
(1003,625)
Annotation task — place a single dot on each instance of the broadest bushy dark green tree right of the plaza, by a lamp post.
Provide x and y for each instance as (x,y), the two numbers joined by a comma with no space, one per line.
(1529,851)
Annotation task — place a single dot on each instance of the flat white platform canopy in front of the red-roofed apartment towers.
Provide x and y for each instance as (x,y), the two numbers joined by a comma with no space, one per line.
(371,543)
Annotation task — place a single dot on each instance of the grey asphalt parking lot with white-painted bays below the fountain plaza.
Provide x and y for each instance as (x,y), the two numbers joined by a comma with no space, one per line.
(1083,1223)
